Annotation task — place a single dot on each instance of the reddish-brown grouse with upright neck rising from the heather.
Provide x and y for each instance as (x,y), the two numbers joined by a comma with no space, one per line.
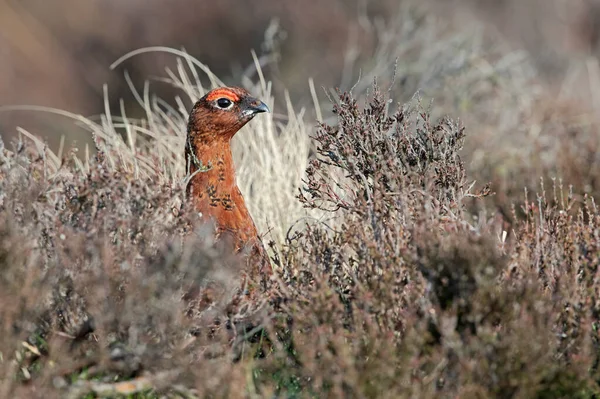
(212,188)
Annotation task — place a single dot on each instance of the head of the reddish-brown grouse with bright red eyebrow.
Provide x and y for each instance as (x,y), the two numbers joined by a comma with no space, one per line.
(222,112)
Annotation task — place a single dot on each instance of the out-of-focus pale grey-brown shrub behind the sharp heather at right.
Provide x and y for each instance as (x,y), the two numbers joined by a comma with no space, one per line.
(521,129)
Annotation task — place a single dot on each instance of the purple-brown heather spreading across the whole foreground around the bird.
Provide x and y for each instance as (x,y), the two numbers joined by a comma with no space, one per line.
(400,290)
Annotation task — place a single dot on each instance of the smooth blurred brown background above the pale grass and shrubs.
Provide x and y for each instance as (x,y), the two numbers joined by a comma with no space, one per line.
(57,53)
